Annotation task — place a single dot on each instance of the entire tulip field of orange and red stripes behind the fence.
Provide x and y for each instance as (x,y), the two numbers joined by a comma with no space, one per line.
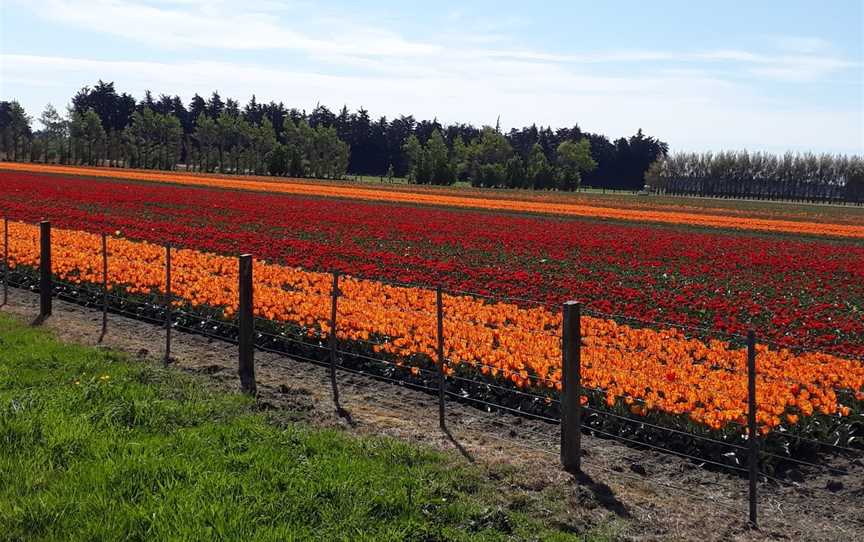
(666,297)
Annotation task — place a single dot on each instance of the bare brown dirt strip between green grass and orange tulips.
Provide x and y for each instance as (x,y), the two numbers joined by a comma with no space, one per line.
(650,495)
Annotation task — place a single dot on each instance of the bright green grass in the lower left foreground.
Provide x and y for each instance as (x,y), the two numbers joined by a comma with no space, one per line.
(97,447)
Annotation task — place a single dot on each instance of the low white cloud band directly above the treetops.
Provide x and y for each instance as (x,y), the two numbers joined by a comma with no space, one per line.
(689,111)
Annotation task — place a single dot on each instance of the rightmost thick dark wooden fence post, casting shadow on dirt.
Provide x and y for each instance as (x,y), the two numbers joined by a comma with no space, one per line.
(571,388)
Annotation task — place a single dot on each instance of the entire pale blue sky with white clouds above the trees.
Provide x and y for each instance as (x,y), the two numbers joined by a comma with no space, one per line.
(701,75)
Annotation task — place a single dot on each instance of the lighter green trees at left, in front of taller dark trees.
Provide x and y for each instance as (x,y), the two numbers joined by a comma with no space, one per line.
(154,140)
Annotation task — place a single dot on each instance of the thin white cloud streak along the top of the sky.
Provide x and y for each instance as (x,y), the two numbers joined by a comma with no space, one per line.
(337,38)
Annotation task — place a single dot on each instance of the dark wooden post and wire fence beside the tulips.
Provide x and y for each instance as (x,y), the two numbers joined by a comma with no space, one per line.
(569,405)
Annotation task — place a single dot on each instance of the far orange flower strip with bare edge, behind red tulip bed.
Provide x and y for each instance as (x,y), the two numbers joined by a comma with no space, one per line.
(744,215)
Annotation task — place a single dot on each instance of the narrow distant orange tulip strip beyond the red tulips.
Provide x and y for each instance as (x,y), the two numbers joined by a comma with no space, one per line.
(726,220)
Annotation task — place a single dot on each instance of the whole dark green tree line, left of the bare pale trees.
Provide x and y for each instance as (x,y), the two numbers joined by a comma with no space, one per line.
(103,126)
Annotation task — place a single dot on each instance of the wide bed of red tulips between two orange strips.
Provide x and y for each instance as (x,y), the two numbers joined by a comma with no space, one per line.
(797,292)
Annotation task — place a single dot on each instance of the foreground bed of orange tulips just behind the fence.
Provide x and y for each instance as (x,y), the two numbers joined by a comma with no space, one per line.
(651,370)
